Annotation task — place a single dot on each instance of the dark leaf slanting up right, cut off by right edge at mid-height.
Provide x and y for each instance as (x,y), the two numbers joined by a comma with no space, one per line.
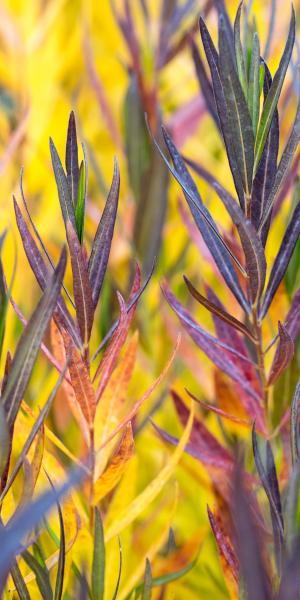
(282,260)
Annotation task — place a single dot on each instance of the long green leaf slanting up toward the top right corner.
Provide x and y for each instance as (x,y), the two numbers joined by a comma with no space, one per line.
(274,93)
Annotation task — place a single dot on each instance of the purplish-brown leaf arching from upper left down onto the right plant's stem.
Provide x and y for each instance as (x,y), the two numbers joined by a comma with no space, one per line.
(253,250)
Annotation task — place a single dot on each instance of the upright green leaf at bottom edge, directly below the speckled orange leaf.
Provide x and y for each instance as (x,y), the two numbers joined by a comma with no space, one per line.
(98,568)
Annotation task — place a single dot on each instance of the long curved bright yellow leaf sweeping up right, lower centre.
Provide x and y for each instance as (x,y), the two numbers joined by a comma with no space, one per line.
(141,502)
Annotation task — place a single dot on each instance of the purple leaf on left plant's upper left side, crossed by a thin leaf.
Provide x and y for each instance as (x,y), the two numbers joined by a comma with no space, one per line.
(42,274)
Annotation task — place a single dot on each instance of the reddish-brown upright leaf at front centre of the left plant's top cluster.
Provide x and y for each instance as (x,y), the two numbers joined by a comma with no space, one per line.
(81,286)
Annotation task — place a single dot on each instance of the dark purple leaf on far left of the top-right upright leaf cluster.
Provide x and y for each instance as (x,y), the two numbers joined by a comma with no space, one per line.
(228,134)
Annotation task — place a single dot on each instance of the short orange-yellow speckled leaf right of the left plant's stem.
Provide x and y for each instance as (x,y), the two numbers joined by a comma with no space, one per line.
(111,477)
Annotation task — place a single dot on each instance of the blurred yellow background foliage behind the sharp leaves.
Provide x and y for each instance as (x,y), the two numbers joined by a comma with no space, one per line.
(59,55)
